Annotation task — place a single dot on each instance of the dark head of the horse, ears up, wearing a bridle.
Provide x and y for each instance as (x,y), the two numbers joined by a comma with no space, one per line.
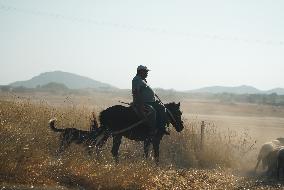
(174,114)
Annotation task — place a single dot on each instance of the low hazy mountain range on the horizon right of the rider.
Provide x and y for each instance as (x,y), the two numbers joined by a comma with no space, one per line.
(244,89)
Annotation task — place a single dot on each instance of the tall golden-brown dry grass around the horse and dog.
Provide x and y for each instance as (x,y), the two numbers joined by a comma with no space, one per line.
(28,156)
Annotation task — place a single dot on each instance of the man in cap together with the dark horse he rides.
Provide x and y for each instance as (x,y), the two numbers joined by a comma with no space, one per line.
(144,121)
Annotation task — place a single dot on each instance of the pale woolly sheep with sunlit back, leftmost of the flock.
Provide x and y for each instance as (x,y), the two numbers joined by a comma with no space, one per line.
(265,150)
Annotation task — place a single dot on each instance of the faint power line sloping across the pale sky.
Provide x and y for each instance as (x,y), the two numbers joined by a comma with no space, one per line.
(139,29)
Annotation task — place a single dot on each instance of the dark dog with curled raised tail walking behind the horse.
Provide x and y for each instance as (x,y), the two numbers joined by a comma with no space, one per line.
(77,136)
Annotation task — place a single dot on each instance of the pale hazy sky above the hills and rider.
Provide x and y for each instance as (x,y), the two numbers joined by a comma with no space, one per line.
(186,44)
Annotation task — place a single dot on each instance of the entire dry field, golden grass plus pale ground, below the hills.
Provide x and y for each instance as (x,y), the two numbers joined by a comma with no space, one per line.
(233,134)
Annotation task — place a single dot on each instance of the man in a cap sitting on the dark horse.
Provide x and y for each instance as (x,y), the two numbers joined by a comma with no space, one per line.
(144,99)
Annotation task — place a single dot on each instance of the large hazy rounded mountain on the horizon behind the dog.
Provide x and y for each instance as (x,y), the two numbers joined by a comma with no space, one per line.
(70,80)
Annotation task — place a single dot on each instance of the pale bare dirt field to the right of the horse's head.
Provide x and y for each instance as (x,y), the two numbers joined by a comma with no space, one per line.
(262,122)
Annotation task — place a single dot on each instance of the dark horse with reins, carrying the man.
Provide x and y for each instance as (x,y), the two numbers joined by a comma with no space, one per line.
(120,121)
